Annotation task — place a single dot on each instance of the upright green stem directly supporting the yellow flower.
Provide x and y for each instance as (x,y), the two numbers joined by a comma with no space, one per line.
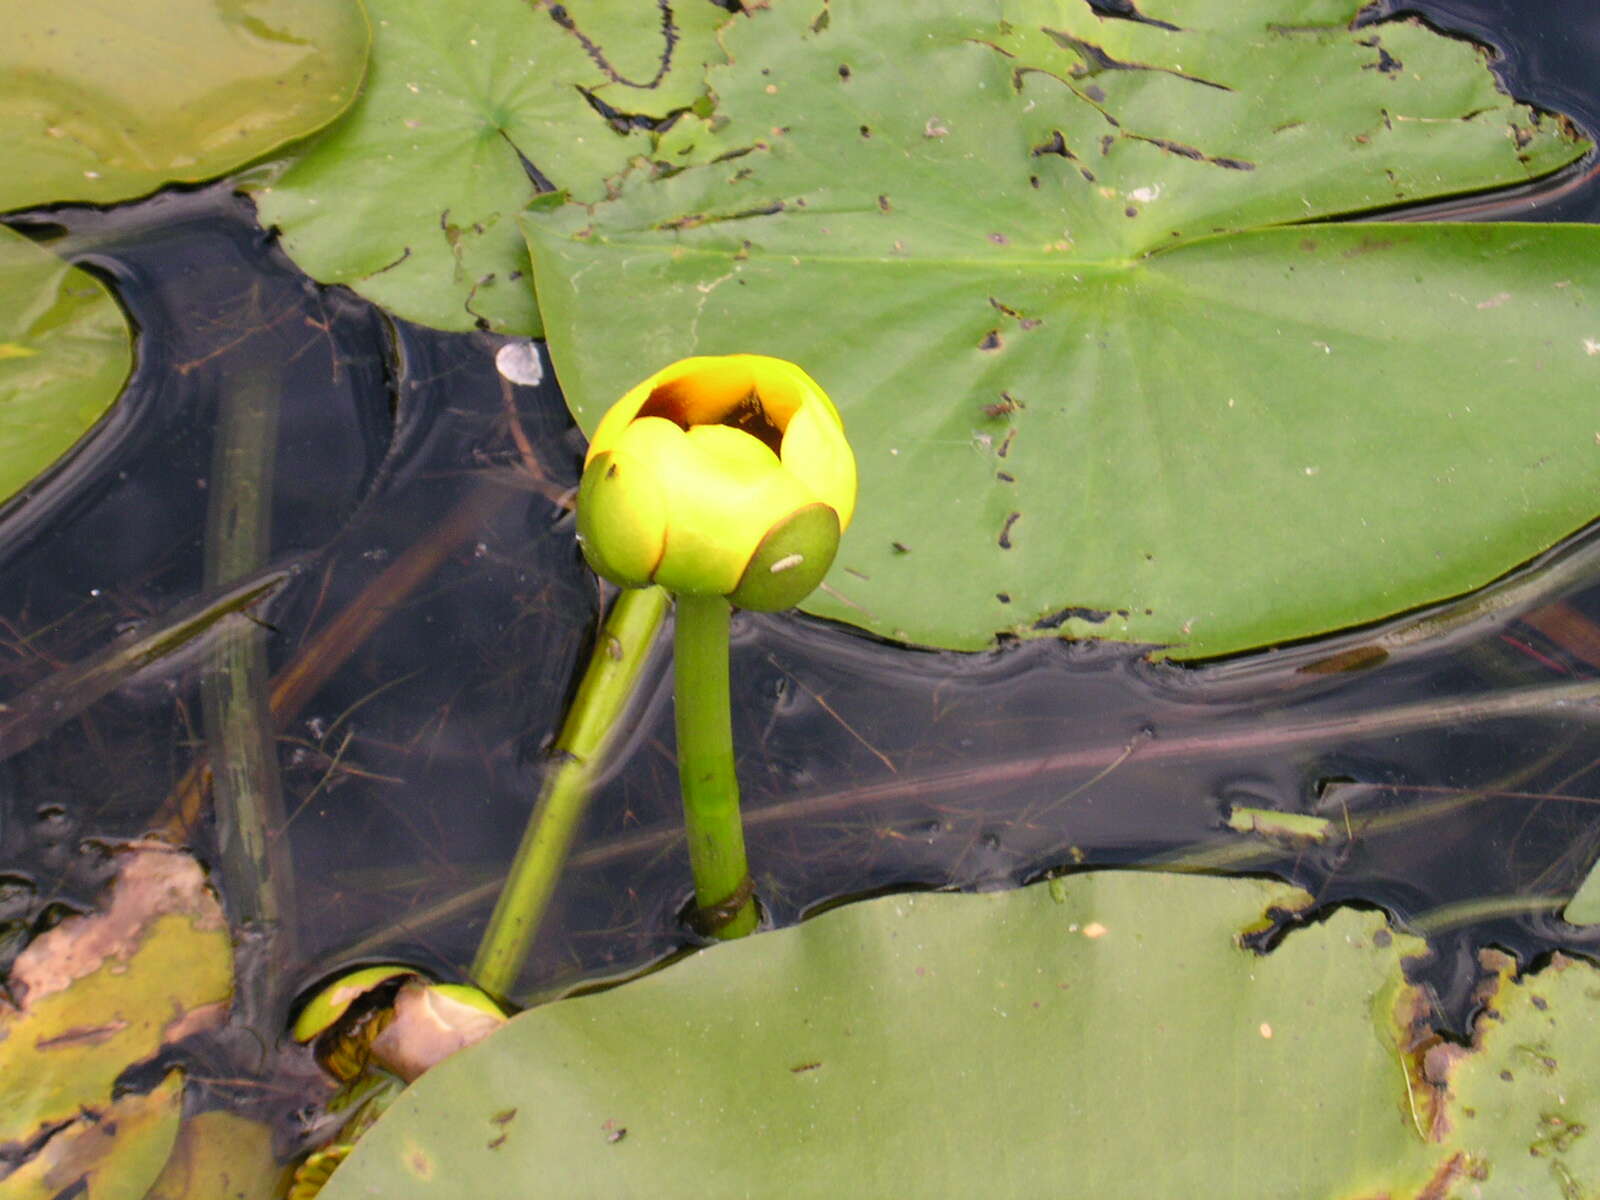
(711,791)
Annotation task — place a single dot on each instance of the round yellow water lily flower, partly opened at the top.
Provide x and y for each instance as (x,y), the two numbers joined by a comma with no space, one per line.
(719,476)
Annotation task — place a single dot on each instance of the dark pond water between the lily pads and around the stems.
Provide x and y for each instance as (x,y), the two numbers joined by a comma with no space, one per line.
(410,772)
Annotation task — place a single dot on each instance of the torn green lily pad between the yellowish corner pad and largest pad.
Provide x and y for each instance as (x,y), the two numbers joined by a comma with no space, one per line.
(468,114)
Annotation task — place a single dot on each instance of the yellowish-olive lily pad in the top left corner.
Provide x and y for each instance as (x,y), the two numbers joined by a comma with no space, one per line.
(108,102)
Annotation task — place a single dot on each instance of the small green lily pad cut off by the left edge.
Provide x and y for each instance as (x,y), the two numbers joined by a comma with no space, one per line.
(65,354)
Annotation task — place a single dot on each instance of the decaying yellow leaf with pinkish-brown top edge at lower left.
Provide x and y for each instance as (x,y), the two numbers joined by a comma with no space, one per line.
(102,993)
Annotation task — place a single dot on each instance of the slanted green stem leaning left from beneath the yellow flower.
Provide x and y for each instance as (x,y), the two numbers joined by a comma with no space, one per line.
(609,686)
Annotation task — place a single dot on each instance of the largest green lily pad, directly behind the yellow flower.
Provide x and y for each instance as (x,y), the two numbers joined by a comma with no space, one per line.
(1081,402)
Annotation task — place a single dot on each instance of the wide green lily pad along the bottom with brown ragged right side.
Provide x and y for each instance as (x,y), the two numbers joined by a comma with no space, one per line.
(1106,1031)
